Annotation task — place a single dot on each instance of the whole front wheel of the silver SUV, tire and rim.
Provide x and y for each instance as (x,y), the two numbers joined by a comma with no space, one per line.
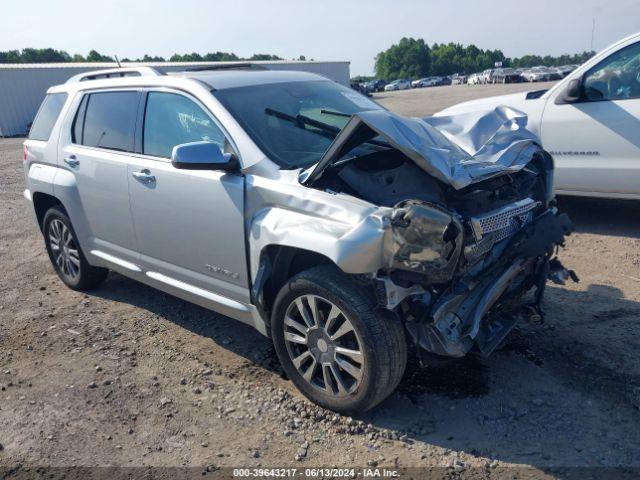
(339,350)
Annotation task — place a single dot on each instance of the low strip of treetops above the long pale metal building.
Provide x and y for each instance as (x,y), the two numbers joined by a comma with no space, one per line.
(50,55)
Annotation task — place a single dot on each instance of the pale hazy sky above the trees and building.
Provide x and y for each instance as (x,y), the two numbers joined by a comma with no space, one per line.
(321,29)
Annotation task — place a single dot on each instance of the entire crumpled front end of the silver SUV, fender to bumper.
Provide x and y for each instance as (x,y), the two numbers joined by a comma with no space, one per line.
(451,220)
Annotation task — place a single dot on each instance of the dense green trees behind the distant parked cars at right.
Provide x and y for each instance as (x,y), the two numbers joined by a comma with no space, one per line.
(414,58)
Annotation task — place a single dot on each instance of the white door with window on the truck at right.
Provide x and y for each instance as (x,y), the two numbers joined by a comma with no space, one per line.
(595,142)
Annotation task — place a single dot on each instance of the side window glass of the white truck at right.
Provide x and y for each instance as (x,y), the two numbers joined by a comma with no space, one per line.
(615,78)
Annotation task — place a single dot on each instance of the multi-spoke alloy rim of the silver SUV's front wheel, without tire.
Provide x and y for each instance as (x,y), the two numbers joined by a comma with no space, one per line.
(323,345)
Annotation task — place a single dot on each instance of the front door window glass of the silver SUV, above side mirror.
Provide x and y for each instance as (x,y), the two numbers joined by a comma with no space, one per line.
(172,119)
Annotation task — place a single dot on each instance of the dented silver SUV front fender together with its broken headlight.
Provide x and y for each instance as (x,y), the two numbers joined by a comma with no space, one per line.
(358,237)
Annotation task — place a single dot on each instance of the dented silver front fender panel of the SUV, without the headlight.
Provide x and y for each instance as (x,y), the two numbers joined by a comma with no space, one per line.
(348,231)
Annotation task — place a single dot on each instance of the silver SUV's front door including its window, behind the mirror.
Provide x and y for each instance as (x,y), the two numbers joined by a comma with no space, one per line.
(189,224)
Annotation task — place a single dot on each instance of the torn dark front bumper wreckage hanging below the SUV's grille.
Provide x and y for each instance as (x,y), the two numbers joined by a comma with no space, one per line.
(481,310)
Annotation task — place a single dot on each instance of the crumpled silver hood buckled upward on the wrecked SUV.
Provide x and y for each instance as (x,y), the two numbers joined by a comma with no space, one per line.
(457,149)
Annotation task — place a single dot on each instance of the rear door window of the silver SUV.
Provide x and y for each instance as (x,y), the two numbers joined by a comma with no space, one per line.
(107,120)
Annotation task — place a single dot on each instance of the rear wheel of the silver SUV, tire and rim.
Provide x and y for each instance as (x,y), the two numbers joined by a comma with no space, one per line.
(65,253)
